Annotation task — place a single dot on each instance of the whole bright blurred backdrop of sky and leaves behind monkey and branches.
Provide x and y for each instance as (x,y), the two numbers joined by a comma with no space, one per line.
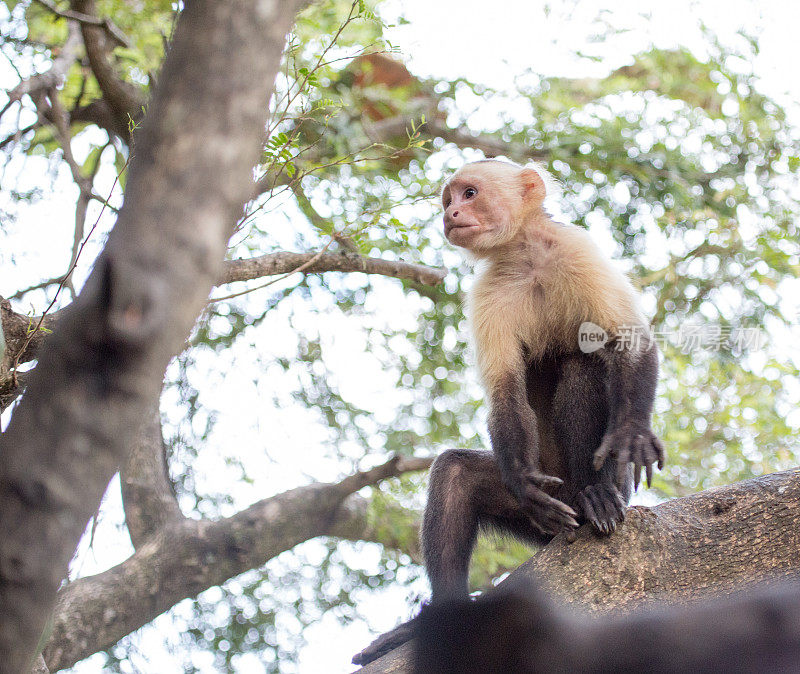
(673,133)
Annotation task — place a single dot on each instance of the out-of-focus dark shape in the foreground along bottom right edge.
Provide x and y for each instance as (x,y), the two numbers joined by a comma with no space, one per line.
(518,629)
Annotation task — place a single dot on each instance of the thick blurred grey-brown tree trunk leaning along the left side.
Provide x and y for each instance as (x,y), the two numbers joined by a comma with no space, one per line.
(101,369)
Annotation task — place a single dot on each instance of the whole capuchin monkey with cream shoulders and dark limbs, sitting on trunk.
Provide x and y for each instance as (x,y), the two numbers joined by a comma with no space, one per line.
(569,368)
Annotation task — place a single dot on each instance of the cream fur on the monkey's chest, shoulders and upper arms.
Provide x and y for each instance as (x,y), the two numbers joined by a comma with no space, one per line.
(537,295)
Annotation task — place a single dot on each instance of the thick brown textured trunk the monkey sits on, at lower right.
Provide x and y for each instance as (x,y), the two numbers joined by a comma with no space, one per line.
(706,545)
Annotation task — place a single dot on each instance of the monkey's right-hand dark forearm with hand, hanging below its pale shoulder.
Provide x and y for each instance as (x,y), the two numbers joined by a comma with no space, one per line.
(632,378)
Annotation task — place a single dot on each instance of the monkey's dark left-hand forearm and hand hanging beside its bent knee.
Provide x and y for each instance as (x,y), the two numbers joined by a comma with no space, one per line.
(515,440)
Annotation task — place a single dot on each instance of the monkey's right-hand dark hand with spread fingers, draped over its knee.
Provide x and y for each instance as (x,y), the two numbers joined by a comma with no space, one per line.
(631,442)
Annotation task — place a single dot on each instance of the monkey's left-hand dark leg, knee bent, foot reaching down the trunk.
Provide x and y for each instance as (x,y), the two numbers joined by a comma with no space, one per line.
(465,493)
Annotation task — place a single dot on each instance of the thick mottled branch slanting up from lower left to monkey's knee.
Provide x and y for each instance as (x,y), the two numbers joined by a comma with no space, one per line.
(188,556)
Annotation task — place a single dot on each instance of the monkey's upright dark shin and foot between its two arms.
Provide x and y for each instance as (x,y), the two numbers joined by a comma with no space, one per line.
(580,416)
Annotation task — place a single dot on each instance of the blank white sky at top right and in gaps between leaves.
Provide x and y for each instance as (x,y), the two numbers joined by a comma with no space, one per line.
(486,42)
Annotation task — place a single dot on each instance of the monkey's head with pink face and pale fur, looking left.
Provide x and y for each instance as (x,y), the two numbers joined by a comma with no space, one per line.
(487,203)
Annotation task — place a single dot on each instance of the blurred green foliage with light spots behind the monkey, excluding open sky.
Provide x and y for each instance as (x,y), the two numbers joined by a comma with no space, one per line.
(687,166)
